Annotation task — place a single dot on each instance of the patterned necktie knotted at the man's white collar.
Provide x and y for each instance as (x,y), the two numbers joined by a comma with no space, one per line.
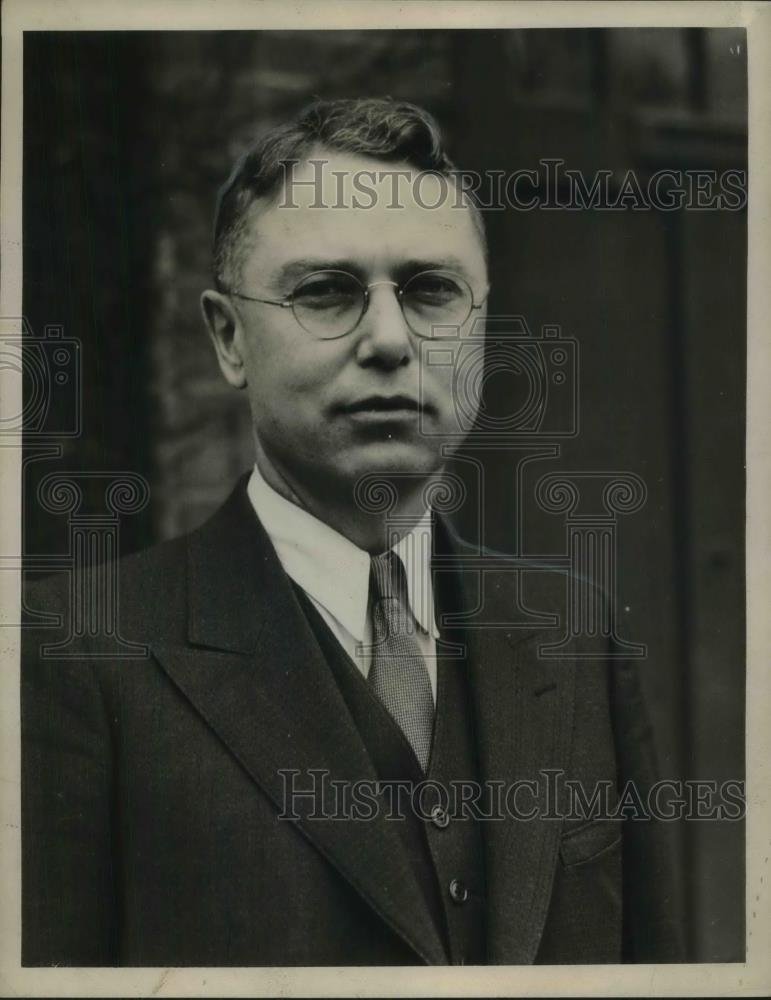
(398,673)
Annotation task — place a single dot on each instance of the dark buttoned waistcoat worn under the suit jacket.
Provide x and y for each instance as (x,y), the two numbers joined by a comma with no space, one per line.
(442,837)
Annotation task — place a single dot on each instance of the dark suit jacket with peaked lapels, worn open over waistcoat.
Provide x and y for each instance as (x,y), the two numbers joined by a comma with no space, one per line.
(151,787)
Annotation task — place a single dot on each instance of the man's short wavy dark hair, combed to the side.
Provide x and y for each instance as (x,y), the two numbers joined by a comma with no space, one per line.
(393,131)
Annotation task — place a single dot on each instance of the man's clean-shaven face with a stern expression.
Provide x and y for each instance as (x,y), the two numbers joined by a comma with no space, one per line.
(327,411)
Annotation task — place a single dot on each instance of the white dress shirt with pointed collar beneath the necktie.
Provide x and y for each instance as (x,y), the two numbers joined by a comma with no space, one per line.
(334,573)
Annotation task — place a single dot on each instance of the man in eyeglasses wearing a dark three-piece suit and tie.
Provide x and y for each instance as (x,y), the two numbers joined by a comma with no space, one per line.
(197,807)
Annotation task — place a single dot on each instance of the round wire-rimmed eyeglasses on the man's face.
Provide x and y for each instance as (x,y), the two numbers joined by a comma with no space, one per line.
(329,304)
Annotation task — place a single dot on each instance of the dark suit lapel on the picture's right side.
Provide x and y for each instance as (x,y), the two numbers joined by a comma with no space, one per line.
(523,710)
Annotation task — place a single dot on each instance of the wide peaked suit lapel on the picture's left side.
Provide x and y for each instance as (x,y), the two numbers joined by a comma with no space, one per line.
(256,674)
